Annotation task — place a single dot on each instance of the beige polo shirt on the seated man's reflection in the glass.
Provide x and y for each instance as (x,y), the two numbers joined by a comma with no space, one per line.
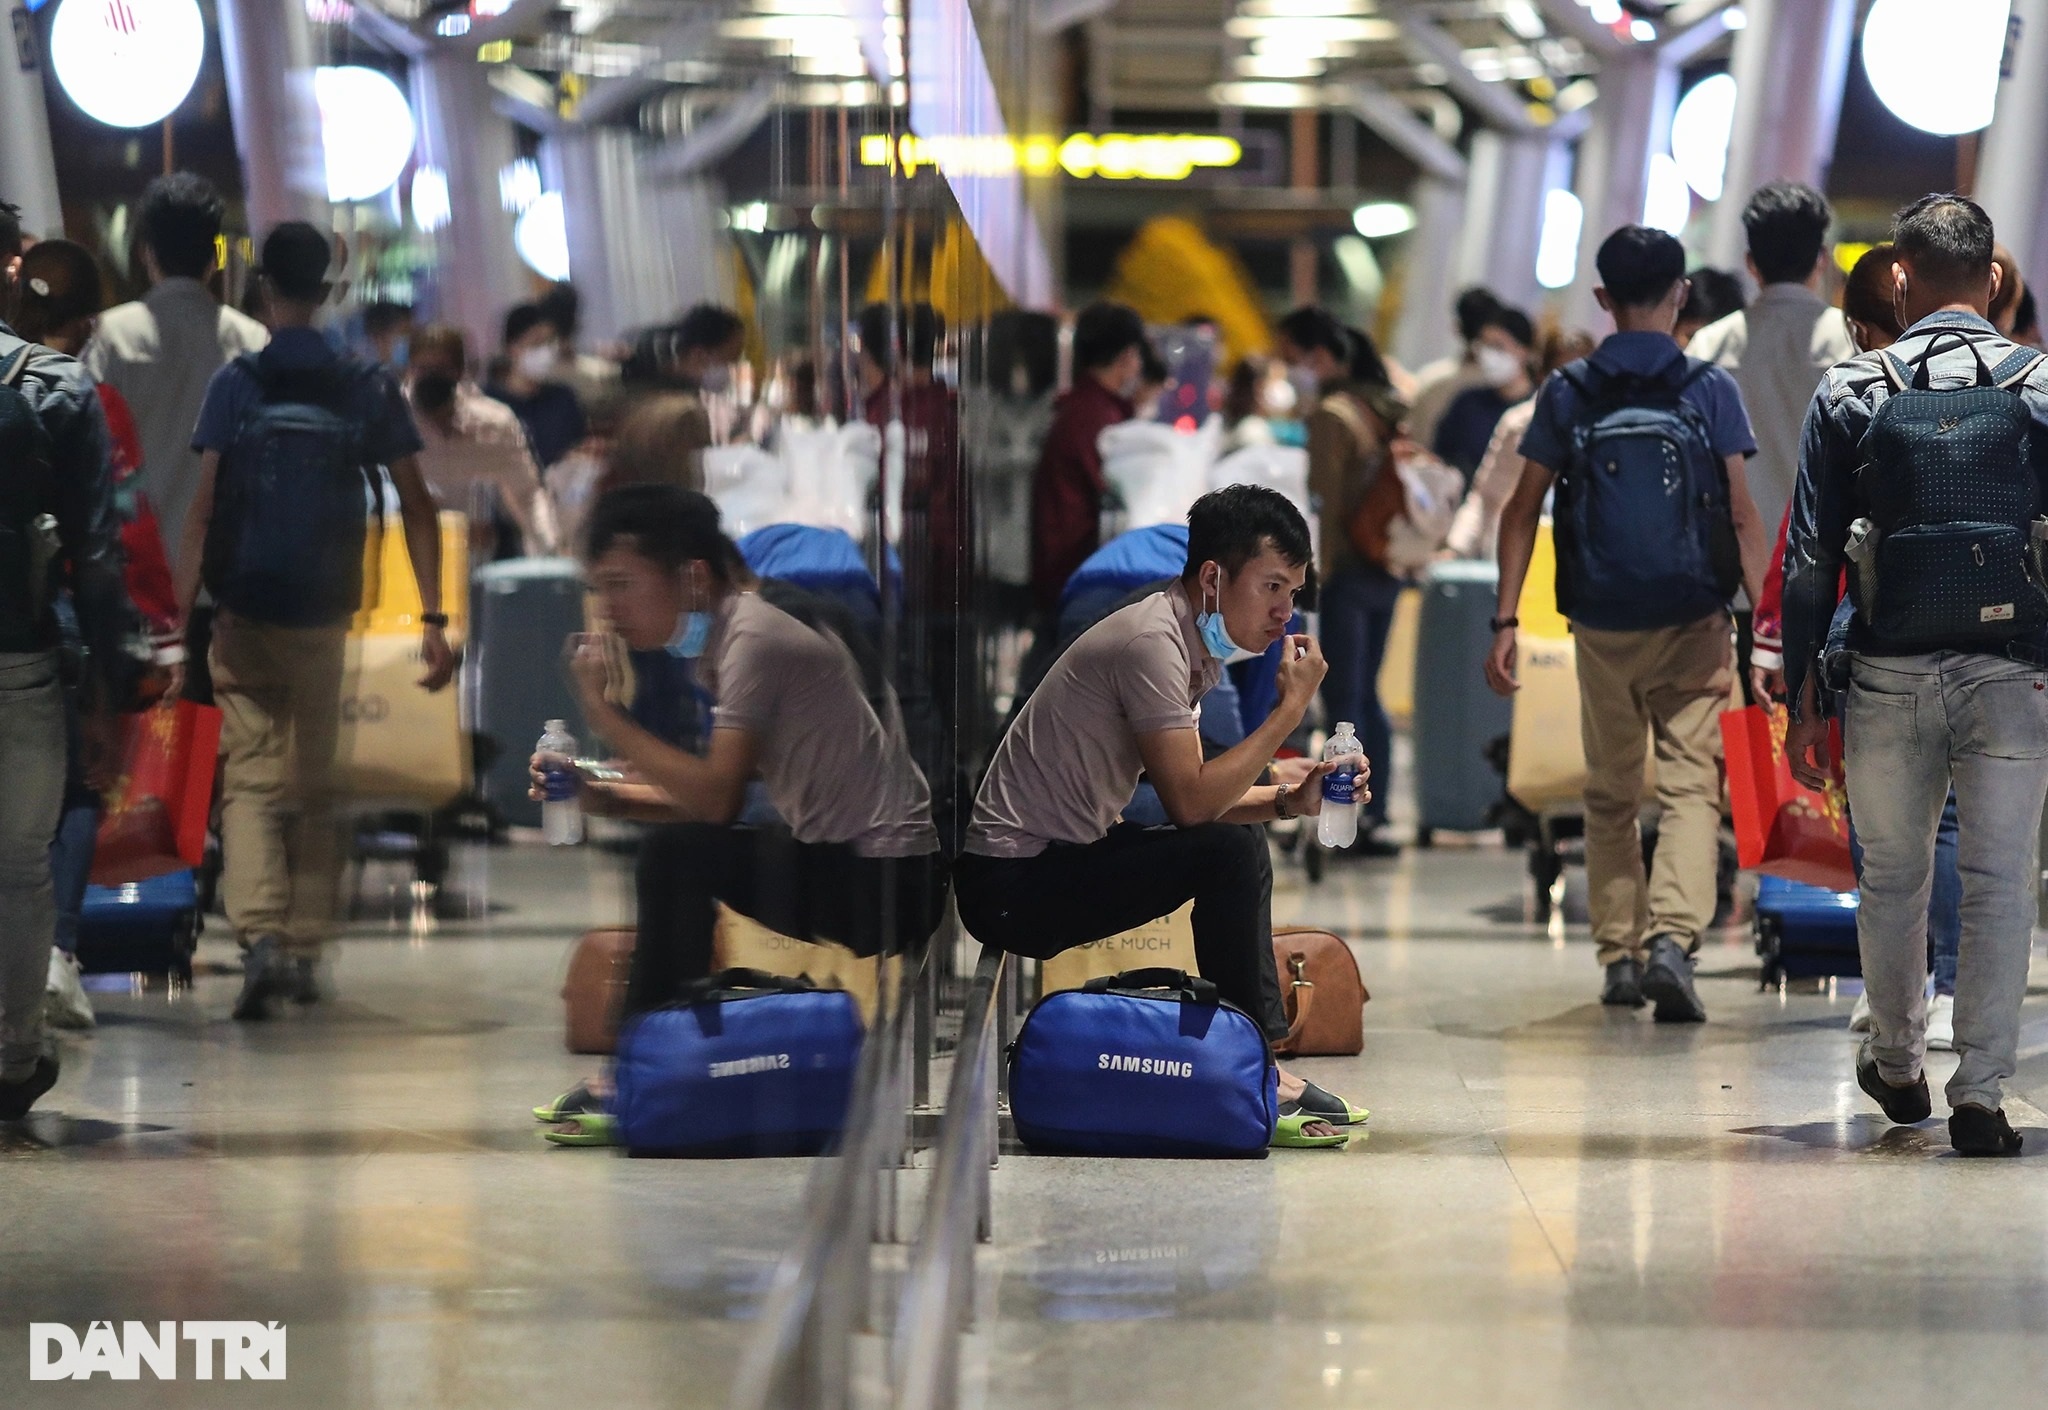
(830,765)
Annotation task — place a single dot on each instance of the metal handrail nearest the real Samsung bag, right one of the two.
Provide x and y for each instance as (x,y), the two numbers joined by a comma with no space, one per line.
(939,1288)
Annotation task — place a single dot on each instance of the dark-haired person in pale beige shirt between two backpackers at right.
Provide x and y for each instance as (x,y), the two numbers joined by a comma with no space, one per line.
(1787,339)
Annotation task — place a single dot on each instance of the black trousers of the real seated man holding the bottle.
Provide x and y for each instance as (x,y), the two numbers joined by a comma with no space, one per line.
(1068,897)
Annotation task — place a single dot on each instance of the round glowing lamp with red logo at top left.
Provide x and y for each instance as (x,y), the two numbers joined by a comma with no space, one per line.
(128,63)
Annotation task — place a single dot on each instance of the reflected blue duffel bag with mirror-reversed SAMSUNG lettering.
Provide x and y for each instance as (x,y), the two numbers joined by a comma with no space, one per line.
(749,1065)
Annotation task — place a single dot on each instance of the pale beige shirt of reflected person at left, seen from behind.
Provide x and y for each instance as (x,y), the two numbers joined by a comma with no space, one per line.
(161,354)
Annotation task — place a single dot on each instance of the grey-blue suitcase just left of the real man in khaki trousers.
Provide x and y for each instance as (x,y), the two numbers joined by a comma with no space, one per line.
(1457,716)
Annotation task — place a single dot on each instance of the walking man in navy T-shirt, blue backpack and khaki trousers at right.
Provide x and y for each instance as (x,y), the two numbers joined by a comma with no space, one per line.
(1656,532)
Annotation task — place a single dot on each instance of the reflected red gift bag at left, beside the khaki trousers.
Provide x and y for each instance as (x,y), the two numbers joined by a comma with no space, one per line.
(157,813)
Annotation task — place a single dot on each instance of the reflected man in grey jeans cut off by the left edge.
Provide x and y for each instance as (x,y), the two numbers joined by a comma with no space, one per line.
(56,507)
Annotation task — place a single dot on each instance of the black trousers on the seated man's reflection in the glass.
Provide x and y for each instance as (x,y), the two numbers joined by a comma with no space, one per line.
(806,890)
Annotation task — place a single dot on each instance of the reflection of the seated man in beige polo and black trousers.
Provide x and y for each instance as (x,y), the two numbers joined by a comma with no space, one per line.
(855,839)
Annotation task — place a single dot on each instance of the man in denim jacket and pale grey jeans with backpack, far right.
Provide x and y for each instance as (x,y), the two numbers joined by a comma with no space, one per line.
(1922,472)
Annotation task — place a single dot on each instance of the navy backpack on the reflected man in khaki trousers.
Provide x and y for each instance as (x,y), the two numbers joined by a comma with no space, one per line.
(292,499)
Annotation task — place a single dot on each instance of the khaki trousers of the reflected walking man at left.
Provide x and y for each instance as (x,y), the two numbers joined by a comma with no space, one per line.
(280,692)
